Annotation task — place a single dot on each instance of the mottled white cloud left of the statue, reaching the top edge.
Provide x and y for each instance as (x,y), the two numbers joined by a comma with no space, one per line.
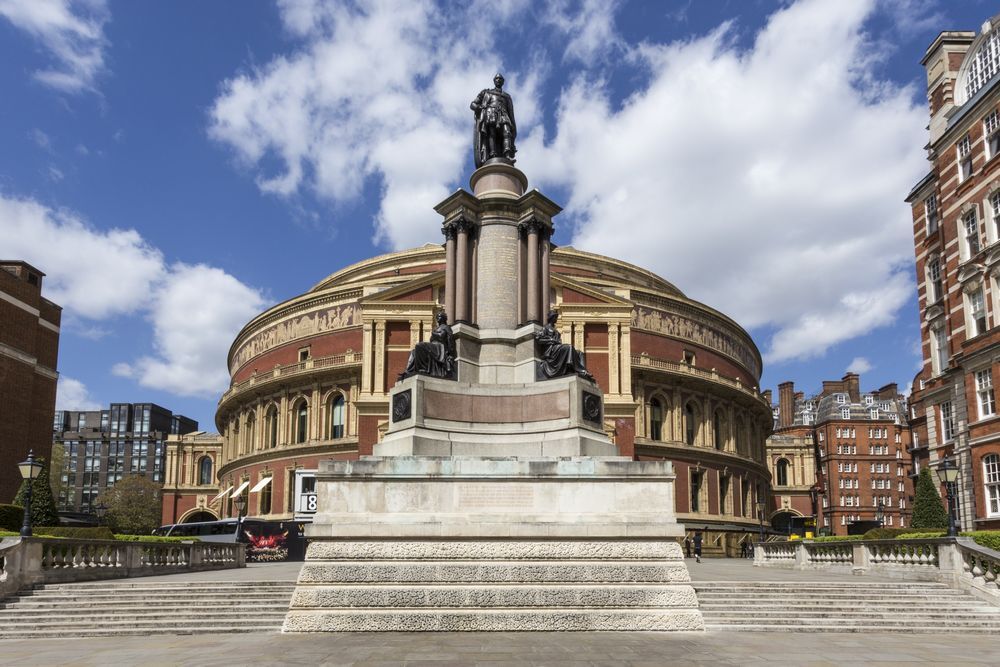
(376,91)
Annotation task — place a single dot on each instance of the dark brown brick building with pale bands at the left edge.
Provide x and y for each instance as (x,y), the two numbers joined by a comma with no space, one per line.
(29,350)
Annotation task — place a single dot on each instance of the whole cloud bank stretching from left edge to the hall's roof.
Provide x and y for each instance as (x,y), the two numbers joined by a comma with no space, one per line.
(195,311)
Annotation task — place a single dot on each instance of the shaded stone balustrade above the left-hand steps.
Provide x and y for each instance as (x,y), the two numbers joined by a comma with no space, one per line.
(31,561)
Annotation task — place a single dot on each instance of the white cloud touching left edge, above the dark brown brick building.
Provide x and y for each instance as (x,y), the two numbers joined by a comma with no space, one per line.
(96,274)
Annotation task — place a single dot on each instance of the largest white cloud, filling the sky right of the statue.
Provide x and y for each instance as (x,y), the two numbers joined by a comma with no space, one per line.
(766,183)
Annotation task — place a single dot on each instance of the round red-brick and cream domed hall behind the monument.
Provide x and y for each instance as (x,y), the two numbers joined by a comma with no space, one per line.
(310,381)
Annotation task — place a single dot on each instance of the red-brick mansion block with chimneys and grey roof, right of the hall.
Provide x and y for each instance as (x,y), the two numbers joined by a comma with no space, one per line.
(860,457)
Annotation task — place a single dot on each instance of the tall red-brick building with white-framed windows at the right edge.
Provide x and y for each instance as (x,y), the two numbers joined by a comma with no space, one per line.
(956,229)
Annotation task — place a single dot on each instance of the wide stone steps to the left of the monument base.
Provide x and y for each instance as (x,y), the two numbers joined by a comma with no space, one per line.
(153,608)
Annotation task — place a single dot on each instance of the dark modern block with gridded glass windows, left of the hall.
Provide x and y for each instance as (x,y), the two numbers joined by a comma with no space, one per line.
(95,449)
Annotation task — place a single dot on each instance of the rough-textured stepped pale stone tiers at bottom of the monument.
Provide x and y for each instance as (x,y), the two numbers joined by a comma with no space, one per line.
(493,585)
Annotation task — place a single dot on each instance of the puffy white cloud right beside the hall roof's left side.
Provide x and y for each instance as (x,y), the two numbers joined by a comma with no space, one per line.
(195,315)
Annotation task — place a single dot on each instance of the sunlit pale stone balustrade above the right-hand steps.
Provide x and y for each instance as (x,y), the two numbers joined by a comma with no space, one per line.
(959,561)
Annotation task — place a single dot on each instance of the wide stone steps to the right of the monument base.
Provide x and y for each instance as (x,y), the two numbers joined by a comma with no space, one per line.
(848,606)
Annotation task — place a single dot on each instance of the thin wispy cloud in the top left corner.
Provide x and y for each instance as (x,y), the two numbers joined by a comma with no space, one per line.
(72,31)
